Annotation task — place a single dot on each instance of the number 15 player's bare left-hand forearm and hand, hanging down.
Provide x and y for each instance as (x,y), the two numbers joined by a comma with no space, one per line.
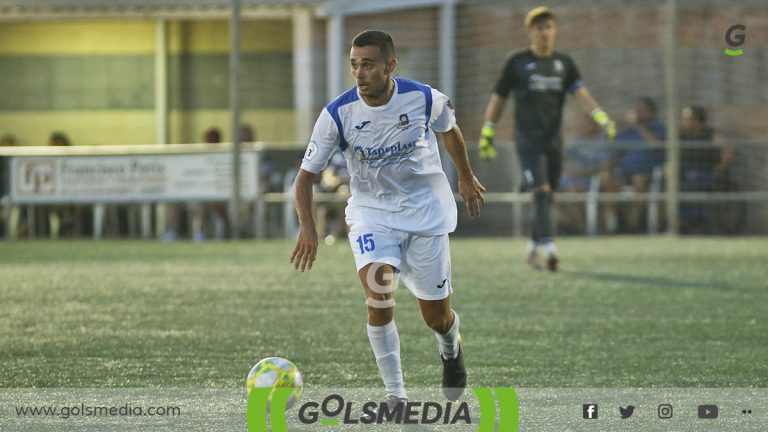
(303,255)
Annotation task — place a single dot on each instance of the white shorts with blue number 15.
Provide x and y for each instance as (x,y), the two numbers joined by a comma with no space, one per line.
(424,262)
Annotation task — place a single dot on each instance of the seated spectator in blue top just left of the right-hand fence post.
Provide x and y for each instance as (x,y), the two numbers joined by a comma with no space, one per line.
(645,134)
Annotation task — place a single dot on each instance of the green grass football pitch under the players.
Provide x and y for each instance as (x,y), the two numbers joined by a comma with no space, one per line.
(623,312)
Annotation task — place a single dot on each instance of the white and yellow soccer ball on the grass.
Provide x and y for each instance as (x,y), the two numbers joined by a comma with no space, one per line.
(276,372)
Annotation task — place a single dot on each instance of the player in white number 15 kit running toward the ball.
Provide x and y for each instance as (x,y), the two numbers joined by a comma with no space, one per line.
(401,209)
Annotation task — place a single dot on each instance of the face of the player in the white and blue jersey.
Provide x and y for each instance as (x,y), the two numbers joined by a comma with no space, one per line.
(371,71)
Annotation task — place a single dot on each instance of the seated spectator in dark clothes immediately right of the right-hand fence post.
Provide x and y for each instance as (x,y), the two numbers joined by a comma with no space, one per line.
(704,167)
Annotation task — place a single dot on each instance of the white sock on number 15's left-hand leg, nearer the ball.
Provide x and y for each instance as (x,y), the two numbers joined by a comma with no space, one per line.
(385,343)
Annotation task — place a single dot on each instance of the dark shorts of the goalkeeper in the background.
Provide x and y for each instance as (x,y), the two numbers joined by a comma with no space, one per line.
(541,160)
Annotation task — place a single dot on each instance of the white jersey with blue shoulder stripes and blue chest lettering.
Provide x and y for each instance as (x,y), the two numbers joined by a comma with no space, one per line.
(396,177)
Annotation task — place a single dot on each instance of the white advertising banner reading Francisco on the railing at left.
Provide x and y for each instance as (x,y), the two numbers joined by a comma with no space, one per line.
(129,178)
